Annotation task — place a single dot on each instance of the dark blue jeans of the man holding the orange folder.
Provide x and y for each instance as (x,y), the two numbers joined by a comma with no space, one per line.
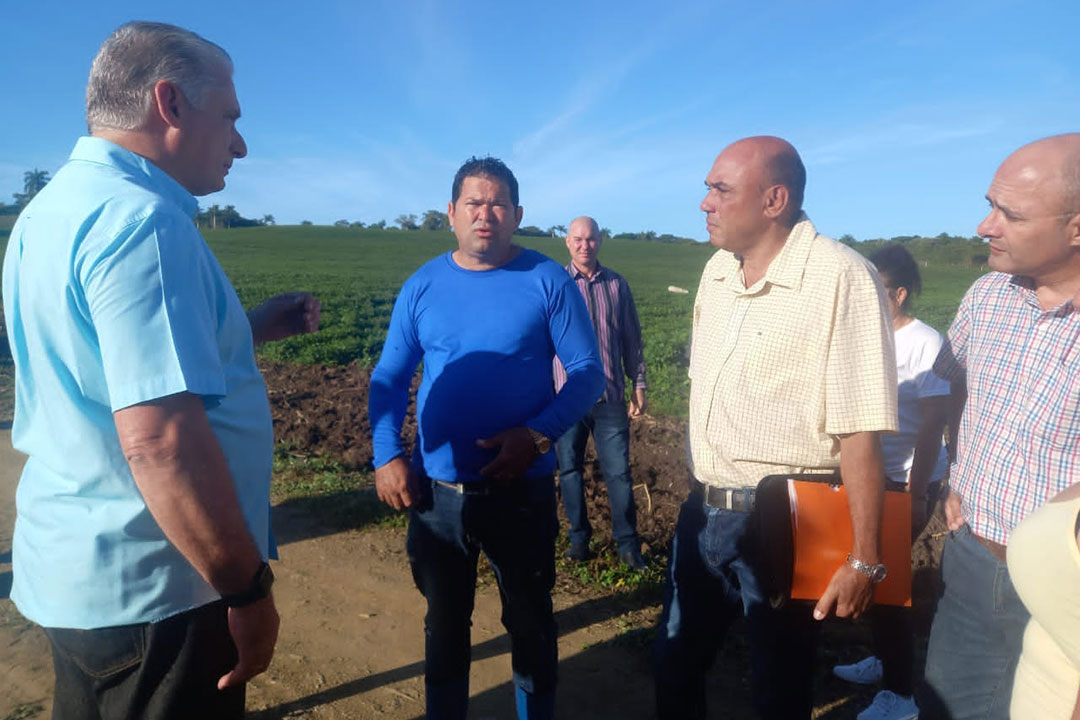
(712,581)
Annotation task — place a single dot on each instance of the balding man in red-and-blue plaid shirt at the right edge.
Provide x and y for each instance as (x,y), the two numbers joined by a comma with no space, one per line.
(1012,356)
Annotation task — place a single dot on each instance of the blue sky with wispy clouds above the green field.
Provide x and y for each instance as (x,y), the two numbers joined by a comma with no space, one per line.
(363,111)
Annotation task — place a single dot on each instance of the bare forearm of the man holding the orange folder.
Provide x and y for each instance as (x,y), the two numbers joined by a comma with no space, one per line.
(863,477)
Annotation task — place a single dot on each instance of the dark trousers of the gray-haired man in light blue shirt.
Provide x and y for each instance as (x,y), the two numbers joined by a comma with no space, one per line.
(154,671)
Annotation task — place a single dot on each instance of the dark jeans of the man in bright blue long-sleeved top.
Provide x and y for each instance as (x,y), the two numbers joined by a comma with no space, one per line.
(516,528)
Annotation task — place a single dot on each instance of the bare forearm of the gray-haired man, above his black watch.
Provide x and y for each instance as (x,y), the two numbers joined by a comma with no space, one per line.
(182,473)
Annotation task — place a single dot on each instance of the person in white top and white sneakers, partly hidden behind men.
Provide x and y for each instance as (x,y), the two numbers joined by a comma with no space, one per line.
(914,457)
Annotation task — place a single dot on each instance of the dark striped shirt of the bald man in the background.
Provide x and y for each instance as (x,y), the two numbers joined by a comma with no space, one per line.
(618,332)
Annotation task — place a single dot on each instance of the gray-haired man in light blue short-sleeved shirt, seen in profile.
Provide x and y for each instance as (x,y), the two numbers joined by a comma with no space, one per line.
(143,533)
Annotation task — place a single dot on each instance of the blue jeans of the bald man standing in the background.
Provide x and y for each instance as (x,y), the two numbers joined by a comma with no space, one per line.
(611,430)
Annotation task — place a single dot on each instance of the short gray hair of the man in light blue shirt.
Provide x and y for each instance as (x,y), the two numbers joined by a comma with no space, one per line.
(138,56)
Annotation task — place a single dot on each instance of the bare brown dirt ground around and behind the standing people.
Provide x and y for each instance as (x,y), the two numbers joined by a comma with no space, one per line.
(353,640)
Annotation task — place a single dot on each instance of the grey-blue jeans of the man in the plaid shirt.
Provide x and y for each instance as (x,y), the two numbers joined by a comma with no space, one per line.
(976,639)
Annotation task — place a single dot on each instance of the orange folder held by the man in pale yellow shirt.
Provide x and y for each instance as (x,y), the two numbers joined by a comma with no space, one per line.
(821,528)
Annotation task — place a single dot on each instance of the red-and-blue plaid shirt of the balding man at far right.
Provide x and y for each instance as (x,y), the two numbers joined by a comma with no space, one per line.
(1020,436)
